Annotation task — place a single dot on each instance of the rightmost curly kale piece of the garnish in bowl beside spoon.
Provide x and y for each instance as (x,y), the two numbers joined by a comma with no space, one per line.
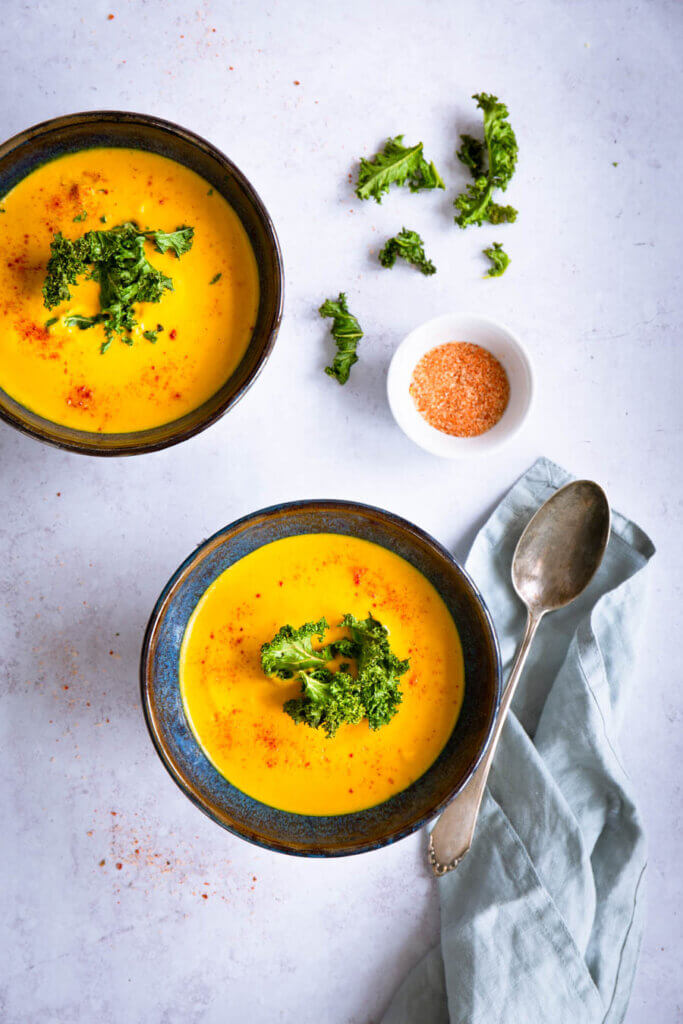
(379,670)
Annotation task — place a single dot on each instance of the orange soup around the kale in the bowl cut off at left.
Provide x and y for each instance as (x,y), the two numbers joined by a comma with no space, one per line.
(59,371)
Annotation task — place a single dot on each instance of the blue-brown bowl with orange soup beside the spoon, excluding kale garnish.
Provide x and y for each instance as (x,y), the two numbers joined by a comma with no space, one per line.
(219,723)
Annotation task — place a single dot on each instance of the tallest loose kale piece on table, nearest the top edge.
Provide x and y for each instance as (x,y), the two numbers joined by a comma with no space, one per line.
(476,205)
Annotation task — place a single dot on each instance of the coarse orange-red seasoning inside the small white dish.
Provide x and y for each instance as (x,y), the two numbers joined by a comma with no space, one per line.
(460,390)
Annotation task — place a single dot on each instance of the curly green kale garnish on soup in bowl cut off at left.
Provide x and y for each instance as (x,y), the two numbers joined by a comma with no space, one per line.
(116,260)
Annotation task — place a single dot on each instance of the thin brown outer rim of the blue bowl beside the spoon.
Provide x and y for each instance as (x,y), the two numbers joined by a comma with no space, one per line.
(320,850)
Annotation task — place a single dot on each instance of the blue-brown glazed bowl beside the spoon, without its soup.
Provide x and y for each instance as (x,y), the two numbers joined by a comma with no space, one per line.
(331,836)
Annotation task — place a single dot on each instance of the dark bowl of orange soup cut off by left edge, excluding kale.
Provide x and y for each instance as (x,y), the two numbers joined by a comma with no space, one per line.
(189,357)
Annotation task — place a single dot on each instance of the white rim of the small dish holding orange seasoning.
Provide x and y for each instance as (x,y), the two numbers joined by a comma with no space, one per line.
(461,450)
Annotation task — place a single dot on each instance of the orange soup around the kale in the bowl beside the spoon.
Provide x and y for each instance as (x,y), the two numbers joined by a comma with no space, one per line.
(236,711)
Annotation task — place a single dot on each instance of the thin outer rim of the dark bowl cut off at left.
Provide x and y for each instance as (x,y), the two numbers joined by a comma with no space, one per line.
(96,117)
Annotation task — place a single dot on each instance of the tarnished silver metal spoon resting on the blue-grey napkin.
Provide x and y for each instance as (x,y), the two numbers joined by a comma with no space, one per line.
(554,562)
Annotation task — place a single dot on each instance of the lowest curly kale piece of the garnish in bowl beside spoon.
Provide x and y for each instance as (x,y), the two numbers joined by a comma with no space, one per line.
(328,701)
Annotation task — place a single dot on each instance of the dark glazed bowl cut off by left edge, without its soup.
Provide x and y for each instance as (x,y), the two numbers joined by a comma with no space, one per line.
(51,140)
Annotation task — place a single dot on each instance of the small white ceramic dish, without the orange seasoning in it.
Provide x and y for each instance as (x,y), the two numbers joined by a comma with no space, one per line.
(501,343)
